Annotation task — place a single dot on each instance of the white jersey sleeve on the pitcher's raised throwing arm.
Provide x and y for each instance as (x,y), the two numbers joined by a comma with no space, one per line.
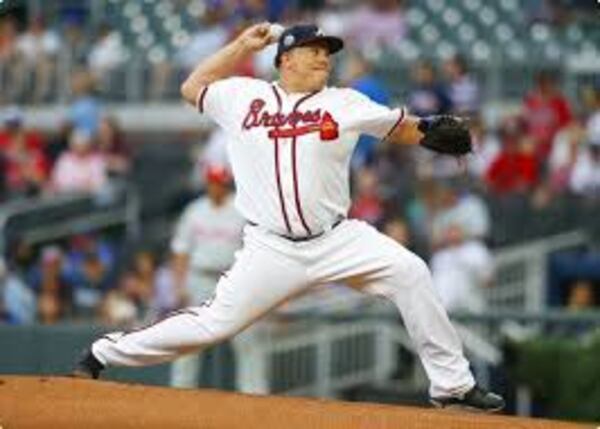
(224,100)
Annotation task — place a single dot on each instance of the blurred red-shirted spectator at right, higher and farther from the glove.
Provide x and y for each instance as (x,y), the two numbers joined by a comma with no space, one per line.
(546,111)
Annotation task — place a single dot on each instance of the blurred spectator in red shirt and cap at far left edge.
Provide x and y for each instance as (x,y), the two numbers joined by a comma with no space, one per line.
(24,164)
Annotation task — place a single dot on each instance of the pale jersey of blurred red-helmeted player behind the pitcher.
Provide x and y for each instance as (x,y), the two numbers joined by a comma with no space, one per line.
(210,235)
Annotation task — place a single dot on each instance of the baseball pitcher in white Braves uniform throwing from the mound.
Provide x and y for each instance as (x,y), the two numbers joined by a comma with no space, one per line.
(290,143)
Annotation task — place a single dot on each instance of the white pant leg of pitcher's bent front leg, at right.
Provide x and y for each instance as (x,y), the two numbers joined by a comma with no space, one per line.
(379,266)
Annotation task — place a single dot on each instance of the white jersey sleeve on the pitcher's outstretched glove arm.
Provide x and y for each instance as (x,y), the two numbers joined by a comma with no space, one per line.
(368,117)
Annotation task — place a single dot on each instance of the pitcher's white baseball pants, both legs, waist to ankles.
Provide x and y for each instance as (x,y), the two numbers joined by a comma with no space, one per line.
(270,270)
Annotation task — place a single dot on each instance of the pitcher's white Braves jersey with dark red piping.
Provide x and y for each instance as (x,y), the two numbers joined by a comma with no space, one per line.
(290,153)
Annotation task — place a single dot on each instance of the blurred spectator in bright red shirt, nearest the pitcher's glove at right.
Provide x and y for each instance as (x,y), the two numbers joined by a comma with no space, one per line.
(515,168)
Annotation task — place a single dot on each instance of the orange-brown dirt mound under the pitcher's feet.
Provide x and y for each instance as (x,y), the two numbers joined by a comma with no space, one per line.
(33,402)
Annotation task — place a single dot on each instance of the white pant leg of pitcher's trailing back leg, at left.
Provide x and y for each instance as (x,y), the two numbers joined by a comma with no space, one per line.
(259,280)
